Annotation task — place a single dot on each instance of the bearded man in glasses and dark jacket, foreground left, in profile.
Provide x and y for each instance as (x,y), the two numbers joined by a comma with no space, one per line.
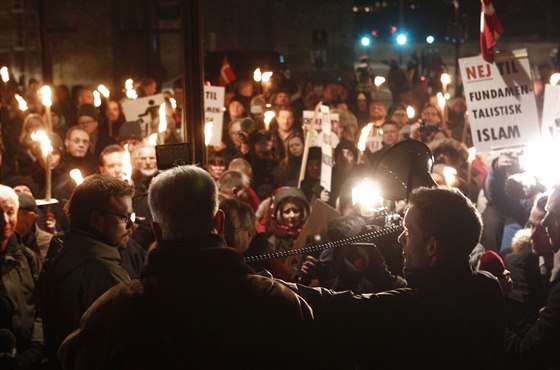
(89,263)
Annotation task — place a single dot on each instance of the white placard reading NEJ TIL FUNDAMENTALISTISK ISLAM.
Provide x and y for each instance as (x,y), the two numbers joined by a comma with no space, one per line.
(500,99)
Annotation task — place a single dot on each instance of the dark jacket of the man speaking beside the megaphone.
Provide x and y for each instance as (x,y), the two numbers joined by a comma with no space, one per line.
(448,318)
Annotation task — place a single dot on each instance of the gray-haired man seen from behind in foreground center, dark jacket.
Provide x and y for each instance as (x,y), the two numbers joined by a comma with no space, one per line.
(197,305)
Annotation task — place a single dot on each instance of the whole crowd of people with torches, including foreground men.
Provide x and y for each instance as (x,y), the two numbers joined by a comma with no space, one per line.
(129,269)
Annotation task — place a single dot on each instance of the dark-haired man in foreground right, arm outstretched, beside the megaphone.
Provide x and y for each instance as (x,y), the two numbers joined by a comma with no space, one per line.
(448,317)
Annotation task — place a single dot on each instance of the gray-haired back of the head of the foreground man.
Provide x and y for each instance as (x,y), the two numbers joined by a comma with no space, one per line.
(183,201)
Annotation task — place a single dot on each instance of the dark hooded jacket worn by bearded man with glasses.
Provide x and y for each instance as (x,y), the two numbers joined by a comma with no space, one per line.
(83,270)
